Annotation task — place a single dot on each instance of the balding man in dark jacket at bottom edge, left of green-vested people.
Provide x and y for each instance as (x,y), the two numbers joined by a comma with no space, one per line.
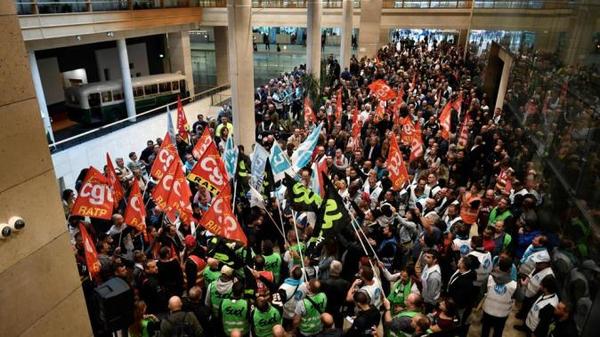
(180,323)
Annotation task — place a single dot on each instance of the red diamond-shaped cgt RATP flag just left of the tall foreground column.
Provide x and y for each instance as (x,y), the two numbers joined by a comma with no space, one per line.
(209,171)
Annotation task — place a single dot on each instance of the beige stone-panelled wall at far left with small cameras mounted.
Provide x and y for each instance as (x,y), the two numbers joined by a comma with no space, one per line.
(41,293)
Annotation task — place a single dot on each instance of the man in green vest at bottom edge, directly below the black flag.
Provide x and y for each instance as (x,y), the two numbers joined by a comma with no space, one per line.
(308,311)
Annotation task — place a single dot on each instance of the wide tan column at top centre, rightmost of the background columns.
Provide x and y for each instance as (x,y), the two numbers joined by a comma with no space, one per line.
(370,27)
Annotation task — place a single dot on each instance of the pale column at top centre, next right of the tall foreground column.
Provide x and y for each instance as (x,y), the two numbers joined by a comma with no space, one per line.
(313,38)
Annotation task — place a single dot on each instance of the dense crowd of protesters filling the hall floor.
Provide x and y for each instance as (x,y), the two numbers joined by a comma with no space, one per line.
(466,238)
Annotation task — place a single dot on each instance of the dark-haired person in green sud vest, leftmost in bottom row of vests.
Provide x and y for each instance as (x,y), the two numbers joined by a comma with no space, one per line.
(235,311)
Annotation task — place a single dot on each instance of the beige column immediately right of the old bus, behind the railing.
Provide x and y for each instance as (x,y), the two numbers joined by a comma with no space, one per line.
(180,57)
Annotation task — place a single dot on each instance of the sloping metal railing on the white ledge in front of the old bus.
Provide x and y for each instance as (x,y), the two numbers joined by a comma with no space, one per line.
(107,128)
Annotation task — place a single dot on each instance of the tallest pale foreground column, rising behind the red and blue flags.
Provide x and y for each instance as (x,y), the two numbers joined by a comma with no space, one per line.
(241,70)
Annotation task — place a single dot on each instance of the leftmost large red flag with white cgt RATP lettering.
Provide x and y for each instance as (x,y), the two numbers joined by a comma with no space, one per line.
(95,197)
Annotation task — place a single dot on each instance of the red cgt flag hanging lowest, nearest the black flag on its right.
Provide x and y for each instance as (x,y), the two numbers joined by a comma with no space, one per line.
(220,221)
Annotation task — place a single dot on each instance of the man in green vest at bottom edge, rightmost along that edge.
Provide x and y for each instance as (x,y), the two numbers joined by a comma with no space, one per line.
(400,324)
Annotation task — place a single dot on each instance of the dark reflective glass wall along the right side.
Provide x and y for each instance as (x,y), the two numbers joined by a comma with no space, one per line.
(554,97)
